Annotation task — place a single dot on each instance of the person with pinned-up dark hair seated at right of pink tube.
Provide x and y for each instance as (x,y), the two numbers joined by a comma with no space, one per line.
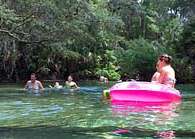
(167,73)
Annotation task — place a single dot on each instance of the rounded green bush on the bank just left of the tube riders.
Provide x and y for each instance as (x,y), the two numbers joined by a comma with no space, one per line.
(139,59)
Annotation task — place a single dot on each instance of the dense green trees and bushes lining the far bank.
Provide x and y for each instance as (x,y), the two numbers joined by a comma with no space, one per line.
(89,38)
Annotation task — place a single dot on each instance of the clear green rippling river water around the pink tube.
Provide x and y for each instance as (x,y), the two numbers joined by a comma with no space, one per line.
(61,114)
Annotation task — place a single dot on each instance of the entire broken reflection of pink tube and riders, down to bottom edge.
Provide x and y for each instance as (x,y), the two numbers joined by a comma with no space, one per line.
(151,114)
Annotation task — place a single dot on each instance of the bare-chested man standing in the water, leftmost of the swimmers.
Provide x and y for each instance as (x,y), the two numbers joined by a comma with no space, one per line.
(33,84)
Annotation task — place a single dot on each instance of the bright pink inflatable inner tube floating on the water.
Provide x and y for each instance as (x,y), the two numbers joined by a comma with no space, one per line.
(144,92)
